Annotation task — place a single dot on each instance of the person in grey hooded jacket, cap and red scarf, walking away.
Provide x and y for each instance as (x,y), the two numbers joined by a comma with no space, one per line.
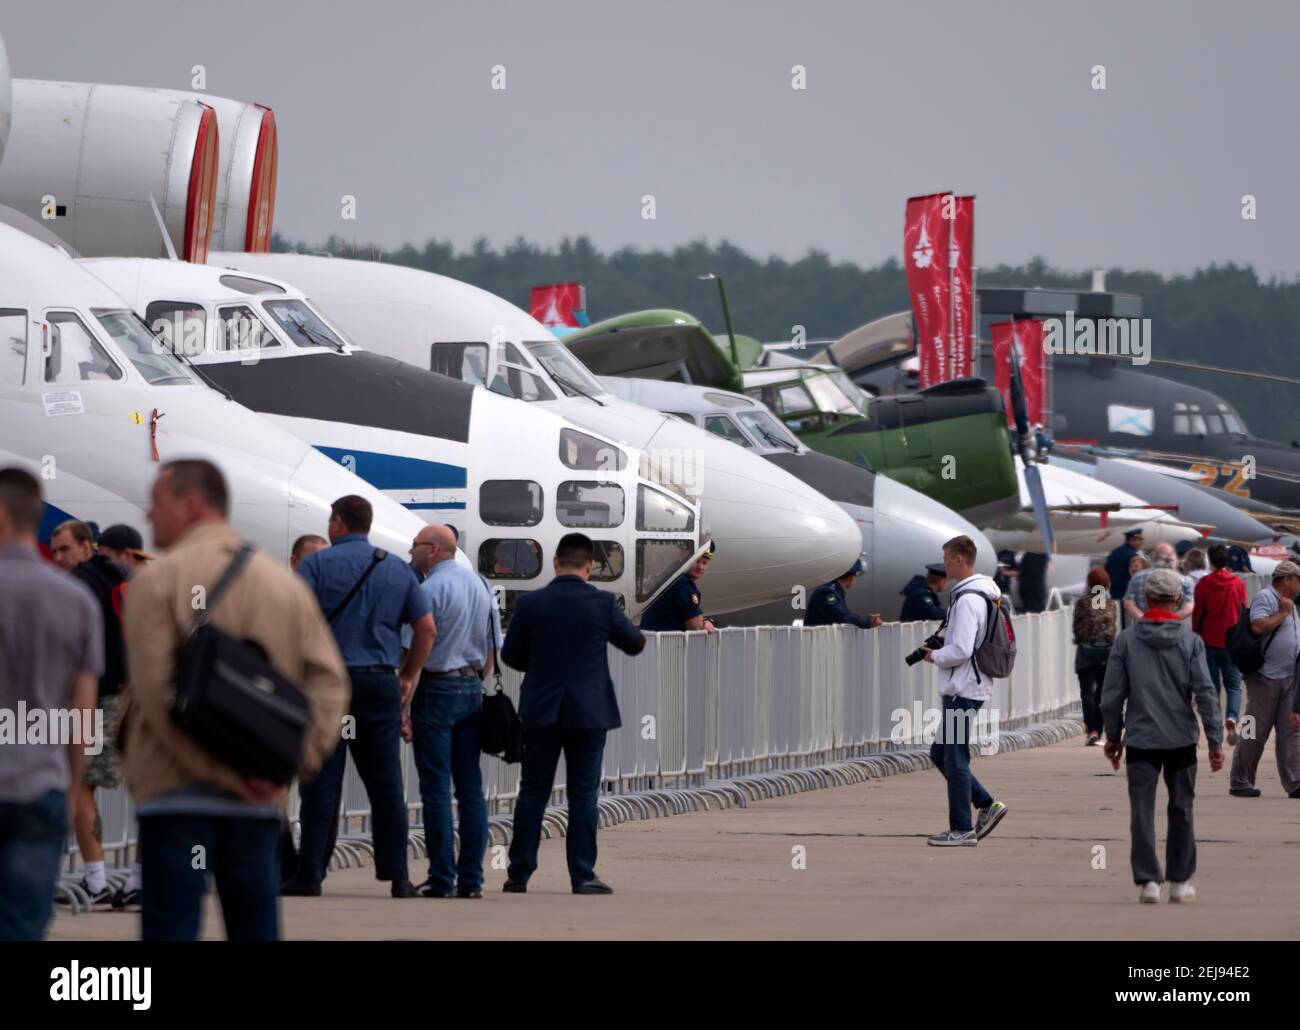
(1156,673)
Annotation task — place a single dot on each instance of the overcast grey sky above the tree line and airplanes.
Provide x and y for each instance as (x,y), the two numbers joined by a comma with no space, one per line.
(392,101)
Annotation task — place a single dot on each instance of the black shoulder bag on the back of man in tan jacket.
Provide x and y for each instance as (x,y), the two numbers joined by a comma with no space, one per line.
(231,700)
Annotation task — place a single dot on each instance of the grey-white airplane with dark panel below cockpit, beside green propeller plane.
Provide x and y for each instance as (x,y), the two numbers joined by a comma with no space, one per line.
(903,531)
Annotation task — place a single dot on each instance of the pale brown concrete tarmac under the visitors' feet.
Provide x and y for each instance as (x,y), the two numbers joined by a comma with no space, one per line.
(853,863)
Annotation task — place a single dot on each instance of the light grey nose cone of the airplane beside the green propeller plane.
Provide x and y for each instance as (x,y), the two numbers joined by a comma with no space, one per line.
(909,534)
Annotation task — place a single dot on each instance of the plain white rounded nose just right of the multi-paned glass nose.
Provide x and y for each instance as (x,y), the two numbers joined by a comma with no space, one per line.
(774,533)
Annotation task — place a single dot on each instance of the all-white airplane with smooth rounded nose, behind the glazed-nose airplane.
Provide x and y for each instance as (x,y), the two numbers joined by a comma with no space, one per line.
(774,533)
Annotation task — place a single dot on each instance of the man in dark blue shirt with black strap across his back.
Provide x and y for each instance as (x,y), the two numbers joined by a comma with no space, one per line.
(369,596)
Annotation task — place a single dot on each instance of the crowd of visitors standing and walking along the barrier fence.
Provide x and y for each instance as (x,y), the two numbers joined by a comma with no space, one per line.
(379,650)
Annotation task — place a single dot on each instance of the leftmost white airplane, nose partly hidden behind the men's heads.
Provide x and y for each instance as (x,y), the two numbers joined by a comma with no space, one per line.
(90,404)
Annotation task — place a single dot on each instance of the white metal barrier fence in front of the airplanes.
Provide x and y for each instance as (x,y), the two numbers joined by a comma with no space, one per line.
(699,708)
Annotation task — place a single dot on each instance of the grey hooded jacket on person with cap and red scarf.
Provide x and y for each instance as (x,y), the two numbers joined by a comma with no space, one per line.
(1158,669)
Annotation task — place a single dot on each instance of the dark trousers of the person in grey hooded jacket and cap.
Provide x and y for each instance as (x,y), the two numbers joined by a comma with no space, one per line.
(1145,768)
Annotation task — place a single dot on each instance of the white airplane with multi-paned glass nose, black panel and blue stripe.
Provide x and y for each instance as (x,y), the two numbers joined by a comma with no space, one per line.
(510,478)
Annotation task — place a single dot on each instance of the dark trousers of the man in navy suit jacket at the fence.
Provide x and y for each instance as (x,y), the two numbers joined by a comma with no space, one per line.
(583,754)
